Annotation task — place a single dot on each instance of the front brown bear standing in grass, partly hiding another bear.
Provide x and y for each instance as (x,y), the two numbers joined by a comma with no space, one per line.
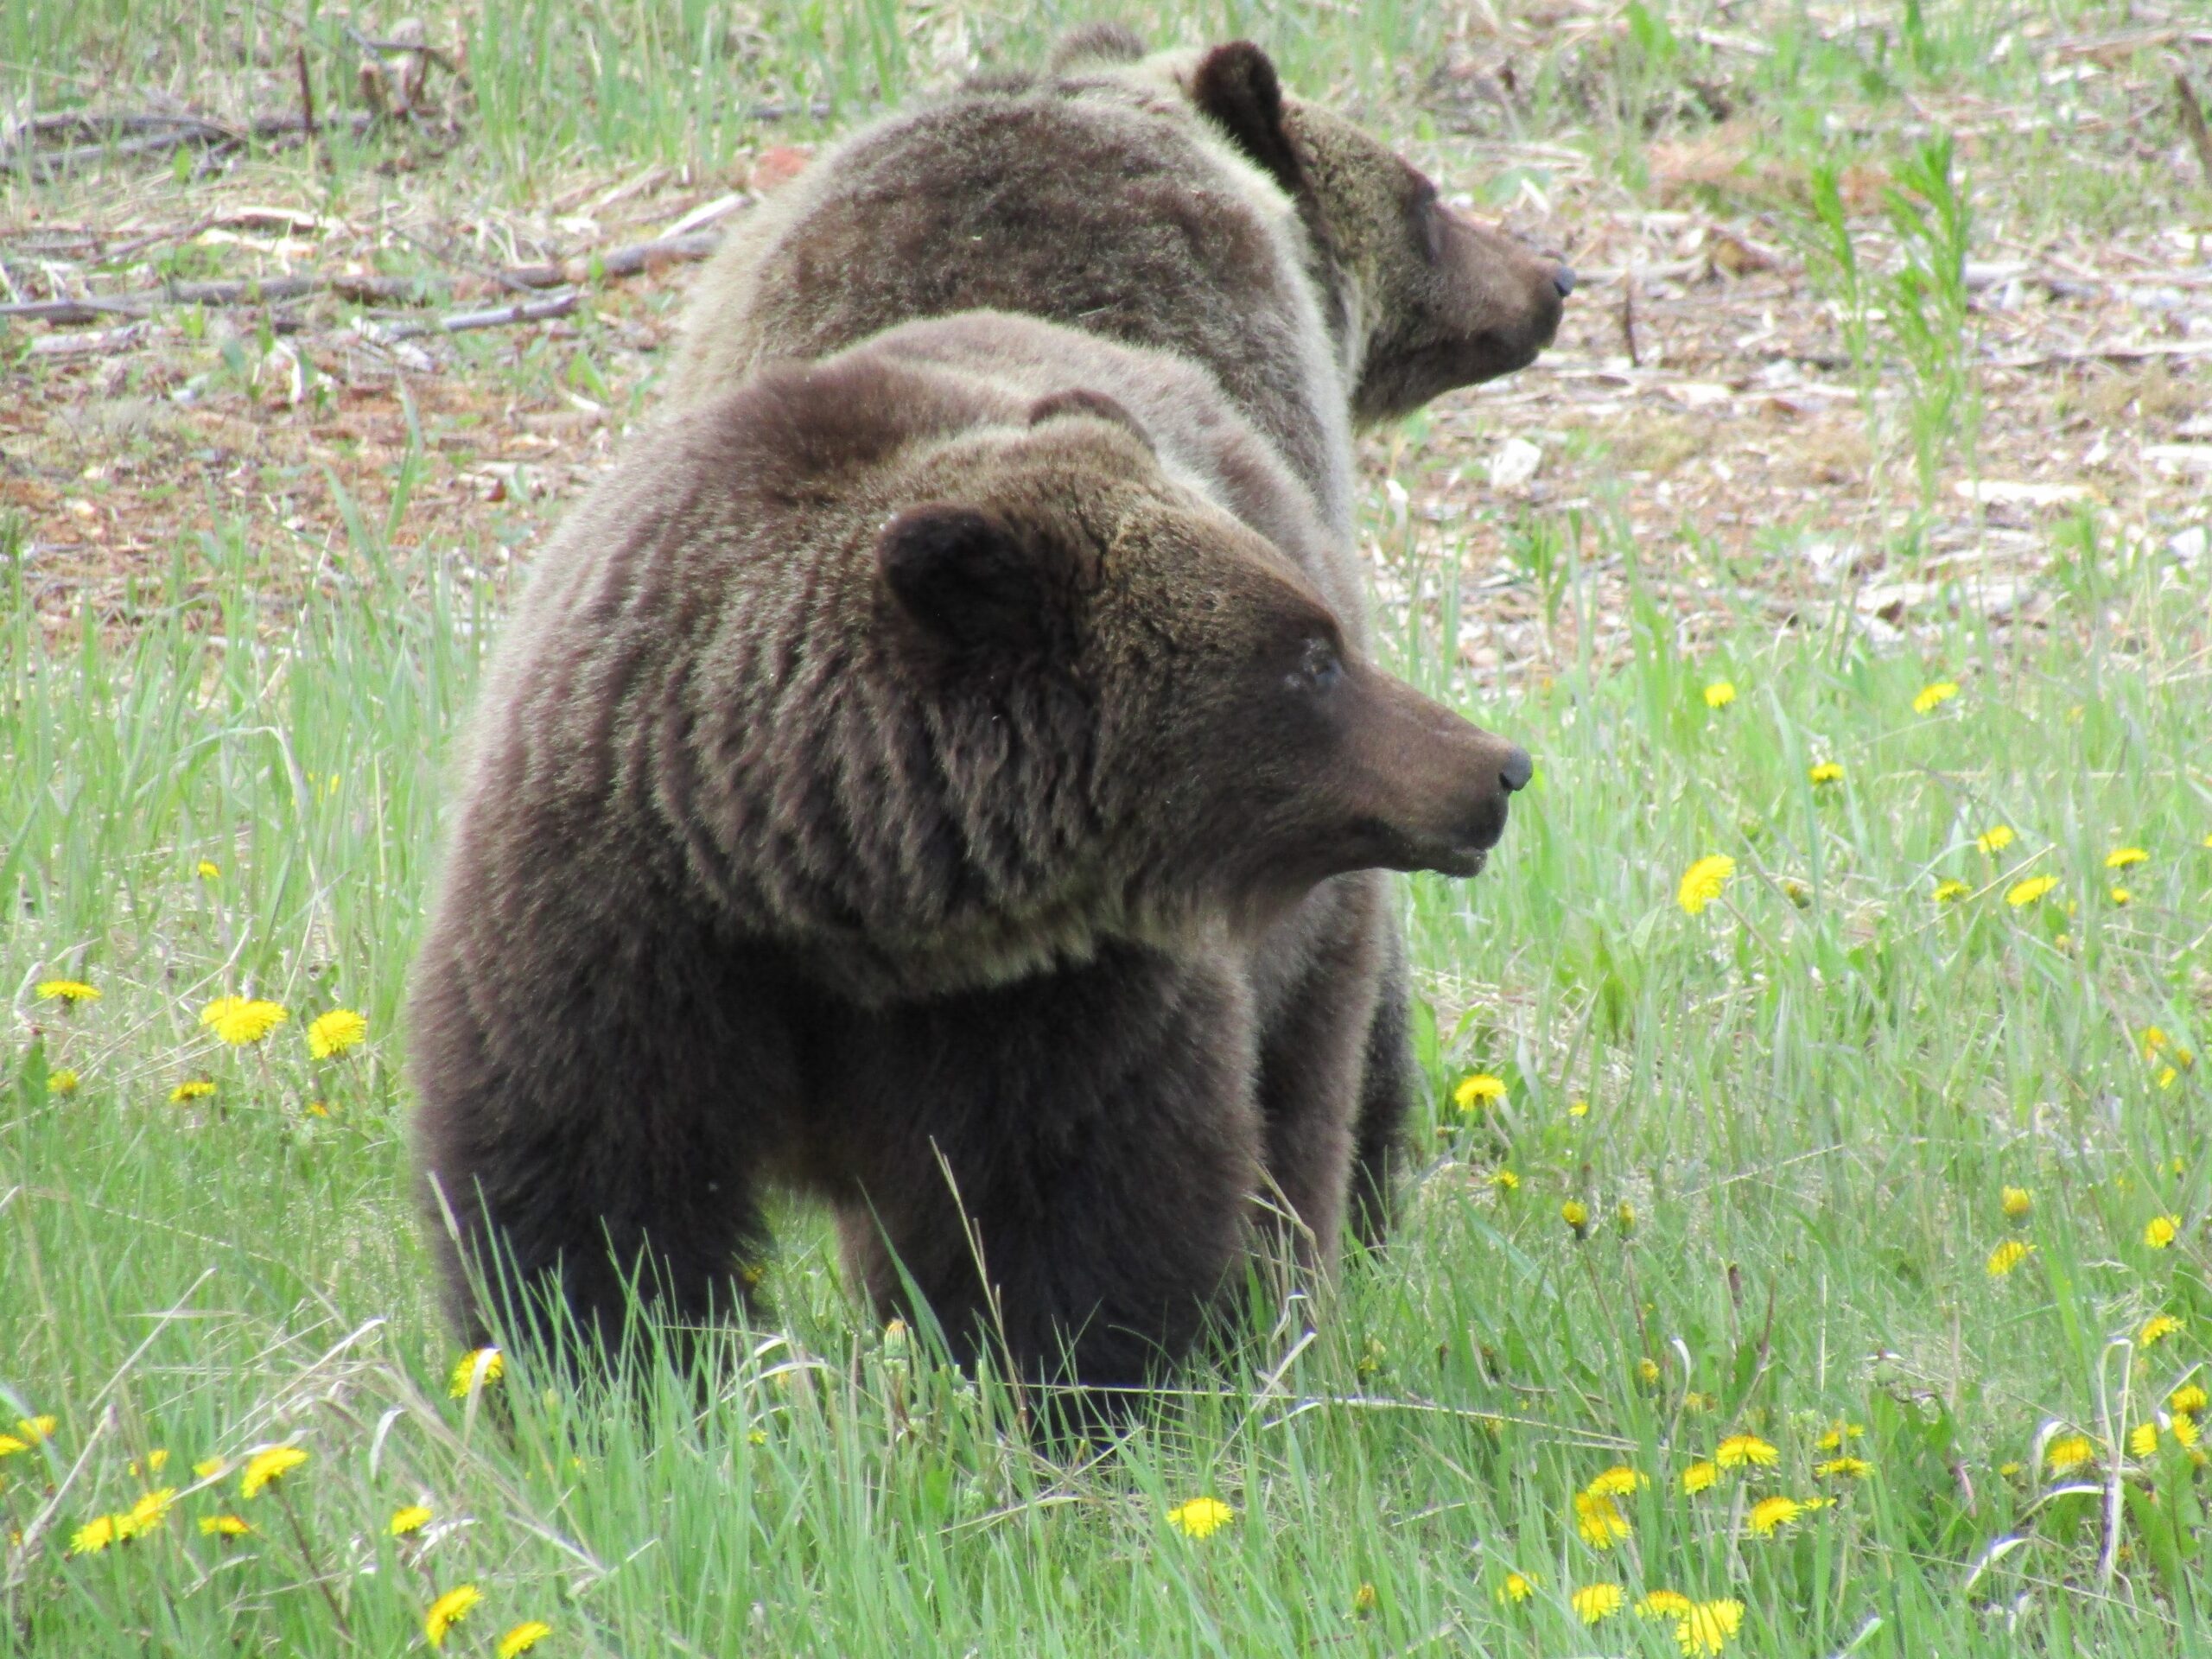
(881,793)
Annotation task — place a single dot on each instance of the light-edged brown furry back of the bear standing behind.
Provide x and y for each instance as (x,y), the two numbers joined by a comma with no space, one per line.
(1105,207)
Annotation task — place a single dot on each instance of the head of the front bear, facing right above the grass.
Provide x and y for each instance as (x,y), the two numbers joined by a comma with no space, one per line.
(1193,722)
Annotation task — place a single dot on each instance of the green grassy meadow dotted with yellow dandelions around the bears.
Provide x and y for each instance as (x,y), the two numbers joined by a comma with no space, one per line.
(1806,1255)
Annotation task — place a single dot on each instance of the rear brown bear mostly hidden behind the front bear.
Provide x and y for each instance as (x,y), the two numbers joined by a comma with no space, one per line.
(1178,202)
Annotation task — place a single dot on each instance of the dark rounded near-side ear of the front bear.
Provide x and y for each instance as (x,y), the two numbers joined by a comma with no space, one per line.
(968,581)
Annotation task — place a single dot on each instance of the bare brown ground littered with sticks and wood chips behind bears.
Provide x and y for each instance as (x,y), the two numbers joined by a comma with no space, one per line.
(1702,401)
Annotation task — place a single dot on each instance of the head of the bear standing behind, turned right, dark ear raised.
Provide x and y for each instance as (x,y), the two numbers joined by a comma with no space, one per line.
(1419,298)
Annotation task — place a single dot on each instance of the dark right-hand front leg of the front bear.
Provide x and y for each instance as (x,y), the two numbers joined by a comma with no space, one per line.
(1065,1167)
